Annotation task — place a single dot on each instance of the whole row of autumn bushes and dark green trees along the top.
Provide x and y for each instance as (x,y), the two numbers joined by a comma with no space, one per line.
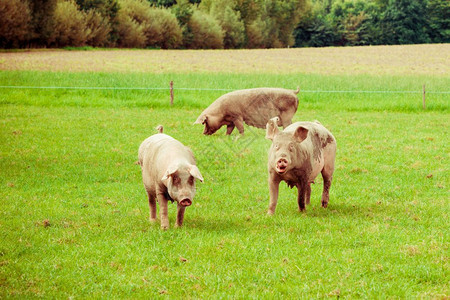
(216,24)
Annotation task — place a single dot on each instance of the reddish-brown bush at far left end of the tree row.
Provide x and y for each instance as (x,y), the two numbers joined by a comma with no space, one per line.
(15,17)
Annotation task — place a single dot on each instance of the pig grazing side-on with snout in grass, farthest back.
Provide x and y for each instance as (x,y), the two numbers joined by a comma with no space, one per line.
(251,106)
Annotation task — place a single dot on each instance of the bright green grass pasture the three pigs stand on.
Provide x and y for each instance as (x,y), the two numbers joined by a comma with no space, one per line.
(74,215)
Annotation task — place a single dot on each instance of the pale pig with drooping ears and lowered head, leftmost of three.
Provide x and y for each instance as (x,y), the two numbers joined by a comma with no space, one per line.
(169,173)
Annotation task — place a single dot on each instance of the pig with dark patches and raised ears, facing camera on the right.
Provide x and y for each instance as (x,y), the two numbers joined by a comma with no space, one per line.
(296,156)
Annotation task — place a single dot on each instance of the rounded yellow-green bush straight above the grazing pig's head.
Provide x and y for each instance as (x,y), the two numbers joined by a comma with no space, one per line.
(206,32)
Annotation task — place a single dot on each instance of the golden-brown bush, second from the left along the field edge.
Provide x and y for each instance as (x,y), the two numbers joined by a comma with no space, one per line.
(70,25)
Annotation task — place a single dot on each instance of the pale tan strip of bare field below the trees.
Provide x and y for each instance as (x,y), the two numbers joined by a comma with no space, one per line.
(382,60)
